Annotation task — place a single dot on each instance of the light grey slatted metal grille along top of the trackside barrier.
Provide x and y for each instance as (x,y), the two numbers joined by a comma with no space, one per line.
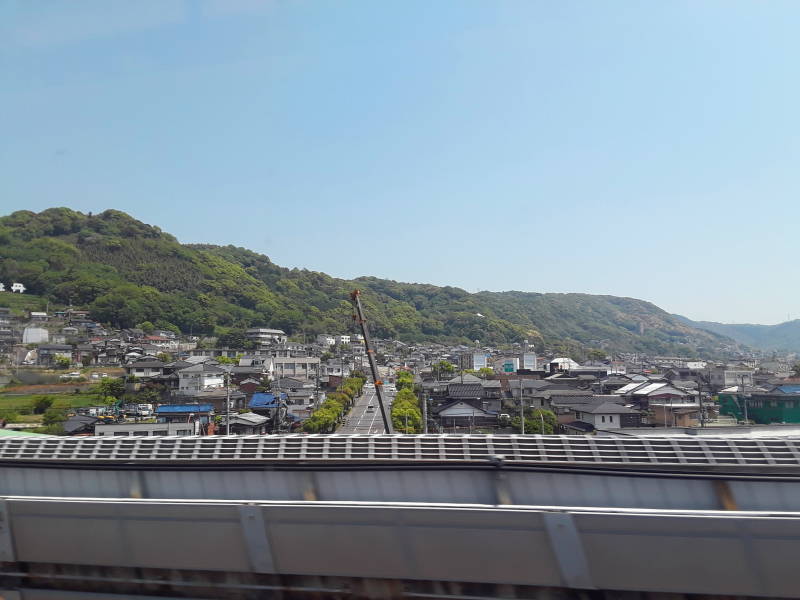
(510,449)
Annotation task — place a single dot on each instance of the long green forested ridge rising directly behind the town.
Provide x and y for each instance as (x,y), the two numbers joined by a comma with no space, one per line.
(127,272)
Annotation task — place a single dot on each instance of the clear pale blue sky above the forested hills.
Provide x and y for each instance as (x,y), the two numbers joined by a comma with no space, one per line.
(644,149)
